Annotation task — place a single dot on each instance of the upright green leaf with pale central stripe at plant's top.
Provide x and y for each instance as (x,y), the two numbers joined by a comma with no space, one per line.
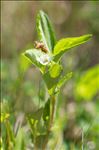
(45,31)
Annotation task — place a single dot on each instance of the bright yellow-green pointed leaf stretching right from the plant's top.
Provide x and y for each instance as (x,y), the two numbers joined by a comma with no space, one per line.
(67,43)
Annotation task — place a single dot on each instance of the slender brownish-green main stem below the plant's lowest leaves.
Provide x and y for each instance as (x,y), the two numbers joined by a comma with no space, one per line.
(52,112)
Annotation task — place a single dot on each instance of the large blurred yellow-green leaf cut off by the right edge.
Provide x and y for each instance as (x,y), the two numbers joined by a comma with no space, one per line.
(88,84)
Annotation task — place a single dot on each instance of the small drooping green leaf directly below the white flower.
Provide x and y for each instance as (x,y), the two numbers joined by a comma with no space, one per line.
(52,76)
